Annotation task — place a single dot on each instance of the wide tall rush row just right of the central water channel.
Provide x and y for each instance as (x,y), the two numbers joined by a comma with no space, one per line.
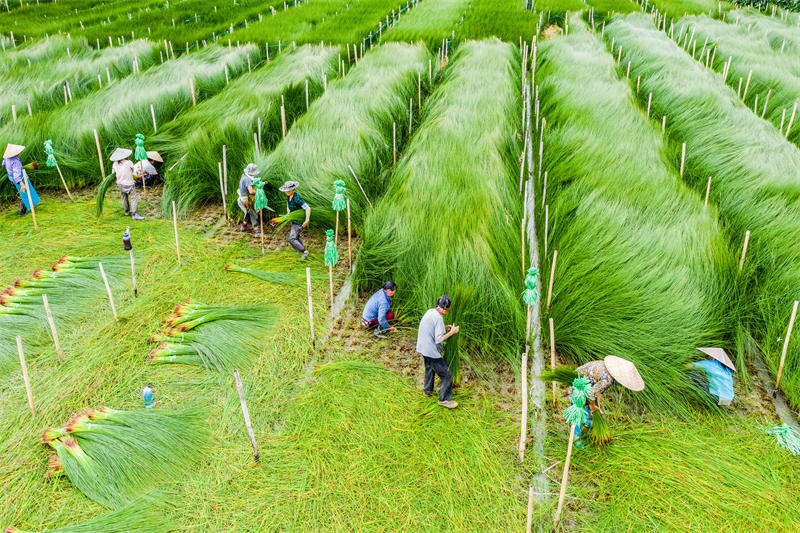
(642,271)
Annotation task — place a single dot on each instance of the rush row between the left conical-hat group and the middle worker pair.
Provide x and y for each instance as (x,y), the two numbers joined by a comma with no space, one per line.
(230,118)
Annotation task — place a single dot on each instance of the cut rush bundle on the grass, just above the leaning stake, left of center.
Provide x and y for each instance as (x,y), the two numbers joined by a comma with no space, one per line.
(215,337)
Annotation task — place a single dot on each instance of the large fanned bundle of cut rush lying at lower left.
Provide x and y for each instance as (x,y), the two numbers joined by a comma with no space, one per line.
(114,457)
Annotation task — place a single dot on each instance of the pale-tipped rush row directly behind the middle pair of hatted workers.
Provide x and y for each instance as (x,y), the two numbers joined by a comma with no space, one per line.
(349,126)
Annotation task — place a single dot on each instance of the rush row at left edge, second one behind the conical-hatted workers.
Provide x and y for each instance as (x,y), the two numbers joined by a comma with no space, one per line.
(44,82)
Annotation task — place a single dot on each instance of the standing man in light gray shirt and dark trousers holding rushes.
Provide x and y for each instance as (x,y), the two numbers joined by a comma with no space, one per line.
(430,339)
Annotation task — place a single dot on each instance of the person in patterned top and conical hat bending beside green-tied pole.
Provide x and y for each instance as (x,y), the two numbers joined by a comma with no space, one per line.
(602,375)
